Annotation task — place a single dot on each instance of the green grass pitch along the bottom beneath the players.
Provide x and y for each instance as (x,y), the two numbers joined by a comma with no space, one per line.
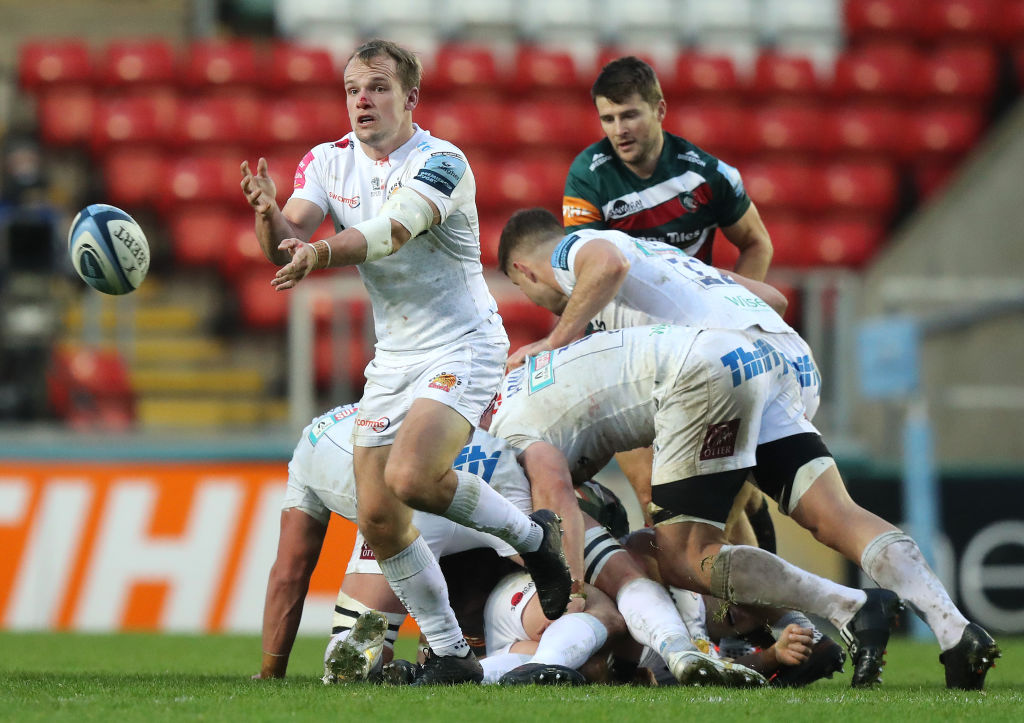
(167,677)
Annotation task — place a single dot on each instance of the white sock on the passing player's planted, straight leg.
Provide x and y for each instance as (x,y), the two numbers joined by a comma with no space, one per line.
(416,578)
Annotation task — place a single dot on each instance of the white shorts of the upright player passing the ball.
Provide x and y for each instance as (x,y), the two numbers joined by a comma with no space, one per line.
(463,375)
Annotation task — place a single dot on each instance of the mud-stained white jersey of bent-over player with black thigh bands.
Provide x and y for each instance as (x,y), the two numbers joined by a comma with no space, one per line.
(554,397)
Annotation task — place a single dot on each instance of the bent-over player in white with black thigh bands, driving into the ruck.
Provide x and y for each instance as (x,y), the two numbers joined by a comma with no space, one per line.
(719,405)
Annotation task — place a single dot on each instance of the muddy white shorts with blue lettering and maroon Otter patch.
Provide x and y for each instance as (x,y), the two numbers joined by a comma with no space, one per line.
(735,392)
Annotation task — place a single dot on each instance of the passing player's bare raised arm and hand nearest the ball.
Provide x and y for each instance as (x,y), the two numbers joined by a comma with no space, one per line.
(298,220)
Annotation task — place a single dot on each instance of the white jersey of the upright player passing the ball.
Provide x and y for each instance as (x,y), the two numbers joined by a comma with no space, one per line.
(432,291)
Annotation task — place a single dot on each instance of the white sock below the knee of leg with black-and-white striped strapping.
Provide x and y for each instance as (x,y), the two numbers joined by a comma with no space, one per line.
(653,618)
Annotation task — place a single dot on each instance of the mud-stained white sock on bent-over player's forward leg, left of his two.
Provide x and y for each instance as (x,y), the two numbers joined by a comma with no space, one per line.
(745,574)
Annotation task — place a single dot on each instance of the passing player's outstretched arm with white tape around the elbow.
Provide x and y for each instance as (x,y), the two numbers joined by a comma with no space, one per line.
(405,216)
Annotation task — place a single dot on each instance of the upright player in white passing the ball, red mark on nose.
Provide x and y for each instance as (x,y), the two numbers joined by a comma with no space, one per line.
(404,207)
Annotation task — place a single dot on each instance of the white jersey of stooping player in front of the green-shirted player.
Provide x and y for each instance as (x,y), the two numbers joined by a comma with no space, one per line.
(669,286)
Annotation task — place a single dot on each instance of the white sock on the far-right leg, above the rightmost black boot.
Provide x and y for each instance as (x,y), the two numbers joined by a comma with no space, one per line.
(894,562)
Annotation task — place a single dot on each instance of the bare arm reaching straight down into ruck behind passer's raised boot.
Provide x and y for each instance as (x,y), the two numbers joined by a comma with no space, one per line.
(551,488)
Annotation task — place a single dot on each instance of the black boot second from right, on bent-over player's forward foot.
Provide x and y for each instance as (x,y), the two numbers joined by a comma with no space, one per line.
(868,634)
